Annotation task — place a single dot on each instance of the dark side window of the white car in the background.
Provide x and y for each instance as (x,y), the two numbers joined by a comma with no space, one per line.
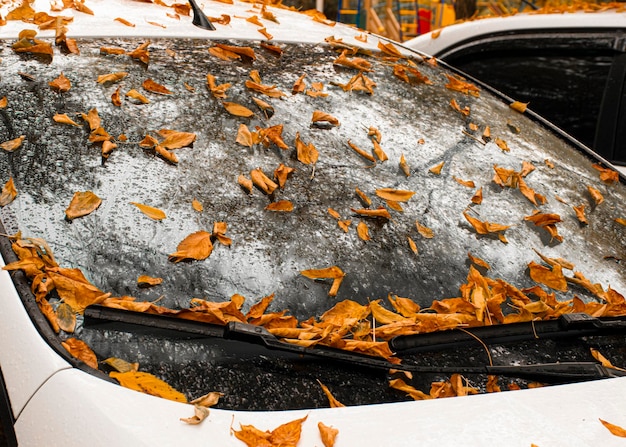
(562,78)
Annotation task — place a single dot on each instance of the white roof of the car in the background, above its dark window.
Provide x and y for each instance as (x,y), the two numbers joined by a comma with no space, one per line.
(438,41)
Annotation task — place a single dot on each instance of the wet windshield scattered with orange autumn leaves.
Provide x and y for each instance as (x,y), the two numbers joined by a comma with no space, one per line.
(308,175)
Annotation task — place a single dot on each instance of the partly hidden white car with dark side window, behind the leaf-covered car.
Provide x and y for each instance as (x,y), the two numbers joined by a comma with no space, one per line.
(569,67)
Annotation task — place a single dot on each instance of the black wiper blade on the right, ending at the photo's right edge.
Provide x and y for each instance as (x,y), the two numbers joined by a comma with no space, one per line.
(566,326)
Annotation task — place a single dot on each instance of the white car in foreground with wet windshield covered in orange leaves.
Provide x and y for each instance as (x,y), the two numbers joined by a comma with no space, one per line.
(138,173)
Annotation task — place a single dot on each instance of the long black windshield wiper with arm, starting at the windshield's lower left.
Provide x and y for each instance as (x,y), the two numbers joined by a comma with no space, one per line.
(130,321)
